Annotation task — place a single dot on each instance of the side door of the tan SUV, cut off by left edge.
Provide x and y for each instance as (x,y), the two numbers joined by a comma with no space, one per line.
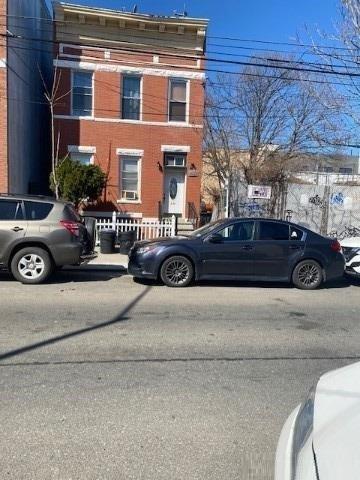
(13,226)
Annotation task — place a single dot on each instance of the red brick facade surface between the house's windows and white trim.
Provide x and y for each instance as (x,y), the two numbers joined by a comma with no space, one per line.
(107,136)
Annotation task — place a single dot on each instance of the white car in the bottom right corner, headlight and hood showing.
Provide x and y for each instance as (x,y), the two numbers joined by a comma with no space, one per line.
(321,438)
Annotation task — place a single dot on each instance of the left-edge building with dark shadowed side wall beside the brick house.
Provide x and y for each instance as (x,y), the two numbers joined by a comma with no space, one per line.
(25,33)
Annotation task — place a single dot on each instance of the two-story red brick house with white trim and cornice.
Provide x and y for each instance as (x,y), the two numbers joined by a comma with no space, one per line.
(133,96)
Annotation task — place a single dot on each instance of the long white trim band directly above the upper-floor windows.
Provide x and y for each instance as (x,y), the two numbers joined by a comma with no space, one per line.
(105,67)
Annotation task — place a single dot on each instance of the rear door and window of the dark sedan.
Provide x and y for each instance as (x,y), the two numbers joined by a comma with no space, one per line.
(275,246)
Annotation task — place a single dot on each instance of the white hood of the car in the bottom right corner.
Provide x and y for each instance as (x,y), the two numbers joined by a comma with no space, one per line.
(336,434)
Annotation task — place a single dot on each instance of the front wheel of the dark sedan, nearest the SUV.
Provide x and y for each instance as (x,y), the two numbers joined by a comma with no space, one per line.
(177,271)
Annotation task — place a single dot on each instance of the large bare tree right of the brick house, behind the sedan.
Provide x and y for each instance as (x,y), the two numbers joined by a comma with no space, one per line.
(266,117)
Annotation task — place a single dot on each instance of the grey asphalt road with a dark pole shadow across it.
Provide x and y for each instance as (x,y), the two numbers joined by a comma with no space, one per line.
(105,378)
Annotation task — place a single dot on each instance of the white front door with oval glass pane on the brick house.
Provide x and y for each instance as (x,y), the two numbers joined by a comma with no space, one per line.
(174,190)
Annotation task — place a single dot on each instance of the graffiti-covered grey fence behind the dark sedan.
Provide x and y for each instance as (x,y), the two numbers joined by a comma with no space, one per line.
(327,209)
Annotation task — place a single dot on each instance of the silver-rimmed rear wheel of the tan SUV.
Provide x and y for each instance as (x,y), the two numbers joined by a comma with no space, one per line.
(31,265)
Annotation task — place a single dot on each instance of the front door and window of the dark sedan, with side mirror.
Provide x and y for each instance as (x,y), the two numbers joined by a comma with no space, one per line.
(233,252)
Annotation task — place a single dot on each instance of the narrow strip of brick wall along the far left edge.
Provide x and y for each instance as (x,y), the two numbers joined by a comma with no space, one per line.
(3,105)
